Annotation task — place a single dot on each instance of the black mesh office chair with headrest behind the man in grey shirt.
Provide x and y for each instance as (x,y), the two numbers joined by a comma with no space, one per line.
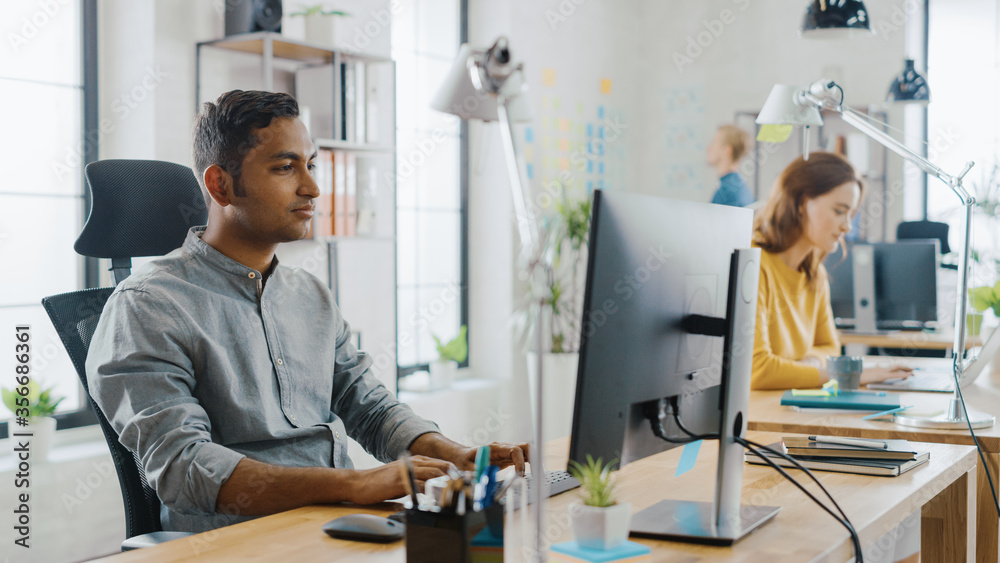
(140,208)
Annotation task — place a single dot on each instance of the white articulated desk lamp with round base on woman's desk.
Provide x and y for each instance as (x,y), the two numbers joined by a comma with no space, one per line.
(790,105)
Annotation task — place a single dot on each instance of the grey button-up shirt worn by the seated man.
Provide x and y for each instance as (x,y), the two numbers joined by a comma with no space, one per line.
(197,363)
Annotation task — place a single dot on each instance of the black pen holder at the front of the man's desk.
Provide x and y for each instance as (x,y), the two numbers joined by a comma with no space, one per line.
(432,537)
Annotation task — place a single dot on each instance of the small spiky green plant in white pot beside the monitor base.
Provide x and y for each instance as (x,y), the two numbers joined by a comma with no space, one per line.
(599,521)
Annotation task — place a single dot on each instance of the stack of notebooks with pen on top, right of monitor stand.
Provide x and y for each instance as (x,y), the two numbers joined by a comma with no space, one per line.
(867,457)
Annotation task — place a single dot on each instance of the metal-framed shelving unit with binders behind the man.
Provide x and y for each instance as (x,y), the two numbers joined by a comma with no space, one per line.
(331,79)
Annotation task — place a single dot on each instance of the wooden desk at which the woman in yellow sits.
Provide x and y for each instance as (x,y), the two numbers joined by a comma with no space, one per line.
(766,414)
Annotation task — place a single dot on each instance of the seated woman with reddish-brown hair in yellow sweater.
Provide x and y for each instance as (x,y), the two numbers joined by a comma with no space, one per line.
(805,218)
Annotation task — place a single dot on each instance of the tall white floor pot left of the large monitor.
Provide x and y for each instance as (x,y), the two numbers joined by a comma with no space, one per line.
(559,373)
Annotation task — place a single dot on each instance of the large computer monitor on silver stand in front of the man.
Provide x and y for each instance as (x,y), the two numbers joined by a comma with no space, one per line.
(669,316)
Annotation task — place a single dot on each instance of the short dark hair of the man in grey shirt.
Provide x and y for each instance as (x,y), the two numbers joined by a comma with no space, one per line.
(225,132)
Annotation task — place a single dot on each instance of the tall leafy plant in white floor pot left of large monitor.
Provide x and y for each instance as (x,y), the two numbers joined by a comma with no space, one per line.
(566,233)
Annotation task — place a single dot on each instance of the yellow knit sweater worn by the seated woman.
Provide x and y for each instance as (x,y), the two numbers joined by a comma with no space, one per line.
(794,321)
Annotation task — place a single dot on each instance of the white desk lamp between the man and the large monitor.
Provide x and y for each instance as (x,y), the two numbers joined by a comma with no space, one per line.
(487,85)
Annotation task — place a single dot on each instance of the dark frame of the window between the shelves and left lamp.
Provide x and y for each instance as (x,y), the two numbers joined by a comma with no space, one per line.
(463,142)
